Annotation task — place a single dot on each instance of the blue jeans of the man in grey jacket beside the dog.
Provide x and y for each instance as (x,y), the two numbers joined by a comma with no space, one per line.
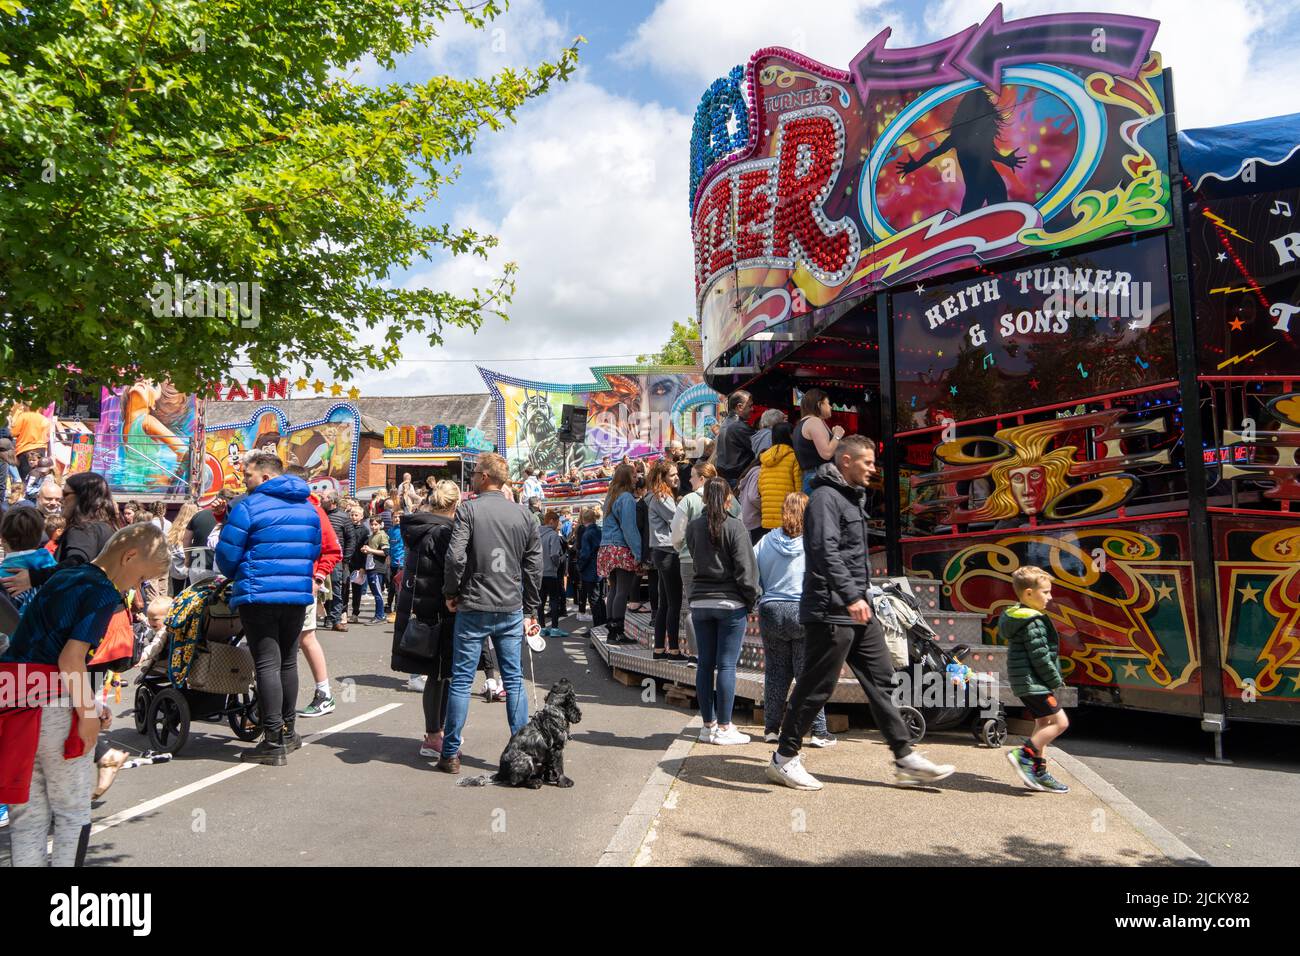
(474,629)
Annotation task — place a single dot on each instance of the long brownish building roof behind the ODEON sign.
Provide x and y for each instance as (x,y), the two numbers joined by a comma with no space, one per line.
(473,410)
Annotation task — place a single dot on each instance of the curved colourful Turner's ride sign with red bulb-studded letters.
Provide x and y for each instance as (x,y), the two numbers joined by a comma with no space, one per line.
(813,185)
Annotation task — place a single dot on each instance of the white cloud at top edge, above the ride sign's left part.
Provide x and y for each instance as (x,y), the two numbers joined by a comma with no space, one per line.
(701,41)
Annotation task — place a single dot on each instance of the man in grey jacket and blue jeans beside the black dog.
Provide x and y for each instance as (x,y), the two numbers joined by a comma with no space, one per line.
(493,586)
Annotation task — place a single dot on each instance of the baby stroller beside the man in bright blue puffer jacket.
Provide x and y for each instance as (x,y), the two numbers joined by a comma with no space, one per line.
(205,672)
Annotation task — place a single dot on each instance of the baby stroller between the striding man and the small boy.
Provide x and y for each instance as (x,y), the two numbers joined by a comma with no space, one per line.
(944,693)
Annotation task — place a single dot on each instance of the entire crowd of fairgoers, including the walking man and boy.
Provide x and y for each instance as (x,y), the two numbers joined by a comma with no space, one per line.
(773,518)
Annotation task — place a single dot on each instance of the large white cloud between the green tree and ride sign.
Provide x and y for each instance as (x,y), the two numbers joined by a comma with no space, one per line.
(593,188)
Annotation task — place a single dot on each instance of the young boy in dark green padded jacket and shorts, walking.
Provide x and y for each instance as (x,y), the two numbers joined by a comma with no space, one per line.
(1033,656)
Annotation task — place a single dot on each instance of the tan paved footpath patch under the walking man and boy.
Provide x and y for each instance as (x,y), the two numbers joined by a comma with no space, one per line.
(980,816)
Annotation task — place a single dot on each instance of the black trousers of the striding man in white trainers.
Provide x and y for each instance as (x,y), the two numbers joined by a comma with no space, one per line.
(829,648)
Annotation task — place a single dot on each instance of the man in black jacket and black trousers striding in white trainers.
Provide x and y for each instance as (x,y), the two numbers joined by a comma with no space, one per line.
(839,625)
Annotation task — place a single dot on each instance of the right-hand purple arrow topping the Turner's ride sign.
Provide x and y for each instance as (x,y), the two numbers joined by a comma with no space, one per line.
(1106,42)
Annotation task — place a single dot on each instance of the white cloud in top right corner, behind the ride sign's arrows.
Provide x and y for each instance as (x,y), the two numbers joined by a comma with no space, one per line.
(1228,62)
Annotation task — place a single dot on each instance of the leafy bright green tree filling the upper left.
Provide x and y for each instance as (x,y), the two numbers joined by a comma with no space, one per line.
(224,141)
